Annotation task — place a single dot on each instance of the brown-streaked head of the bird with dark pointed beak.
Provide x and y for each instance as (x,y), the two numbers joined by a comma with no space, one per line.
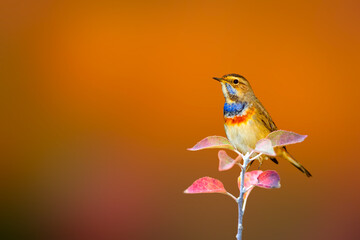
(235,87)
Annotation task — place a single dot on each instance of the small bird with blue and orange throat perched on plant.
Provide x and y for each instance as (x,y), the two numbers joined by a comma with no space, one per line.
(247,121)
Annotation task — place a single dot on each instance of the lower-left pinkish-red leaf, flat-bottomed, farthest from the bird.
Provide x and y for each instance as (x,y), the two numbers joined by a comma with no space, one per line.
(206,185)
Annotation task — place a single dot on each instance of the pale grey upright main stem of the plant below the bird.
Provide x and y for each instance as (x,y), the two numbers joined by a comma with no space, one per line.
(240,199)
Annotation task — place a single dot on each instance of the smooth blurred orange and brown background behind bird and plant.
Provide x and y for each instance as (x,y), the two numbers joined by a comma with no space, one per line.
(100,99)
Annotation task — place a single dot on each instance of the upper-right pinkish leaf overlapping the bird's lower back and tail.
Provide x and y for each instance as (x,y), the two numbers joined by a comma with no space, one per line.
(282,138)
